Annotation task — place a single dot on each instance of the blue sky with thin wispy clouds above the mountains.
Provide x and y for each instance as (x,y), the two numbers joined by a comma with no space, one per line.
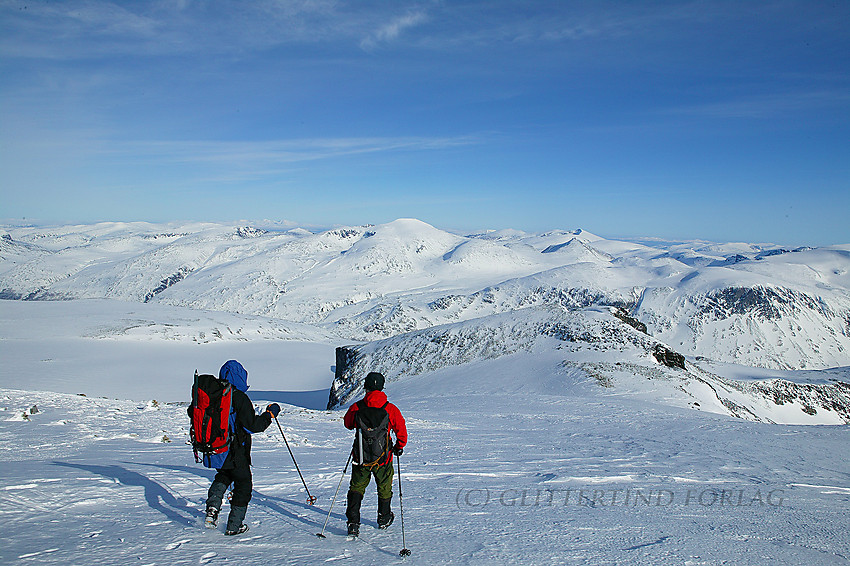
(717,120)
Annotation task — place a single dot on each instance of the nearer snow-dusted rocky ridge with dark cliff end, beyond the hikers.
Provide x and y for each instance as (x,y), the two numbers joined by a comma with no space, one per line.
(606,347)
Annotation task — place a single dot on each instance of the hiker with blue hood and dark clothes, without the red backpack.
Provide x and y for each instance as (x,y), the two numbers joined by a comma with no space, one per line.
(236,468)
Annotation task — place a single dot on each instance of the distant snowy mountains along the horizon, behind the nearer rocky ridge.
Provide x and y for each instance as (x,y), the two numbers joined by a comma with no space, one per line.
(756,305)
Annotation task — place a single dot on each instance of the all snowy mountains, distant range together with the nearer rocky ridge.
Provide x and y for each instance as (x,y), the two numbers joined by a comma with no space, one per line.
(407,297)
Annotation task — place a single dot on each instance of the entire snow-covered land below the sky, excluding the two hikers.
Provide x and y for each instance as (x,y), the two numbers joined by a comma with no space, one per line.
(569,399)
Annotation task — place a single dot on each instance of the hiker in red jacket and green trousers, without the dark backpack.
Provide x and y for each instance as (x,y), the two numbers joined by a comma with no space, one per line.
(382,469)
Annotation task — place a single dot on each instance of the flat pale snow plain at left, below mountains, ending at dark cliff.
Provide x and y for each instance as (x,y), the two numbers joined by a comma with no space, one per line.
(118,349)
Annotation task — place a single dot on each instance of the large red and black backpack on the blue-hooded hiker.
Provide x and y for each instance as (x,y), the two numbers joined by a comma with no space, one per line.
(211,429)
